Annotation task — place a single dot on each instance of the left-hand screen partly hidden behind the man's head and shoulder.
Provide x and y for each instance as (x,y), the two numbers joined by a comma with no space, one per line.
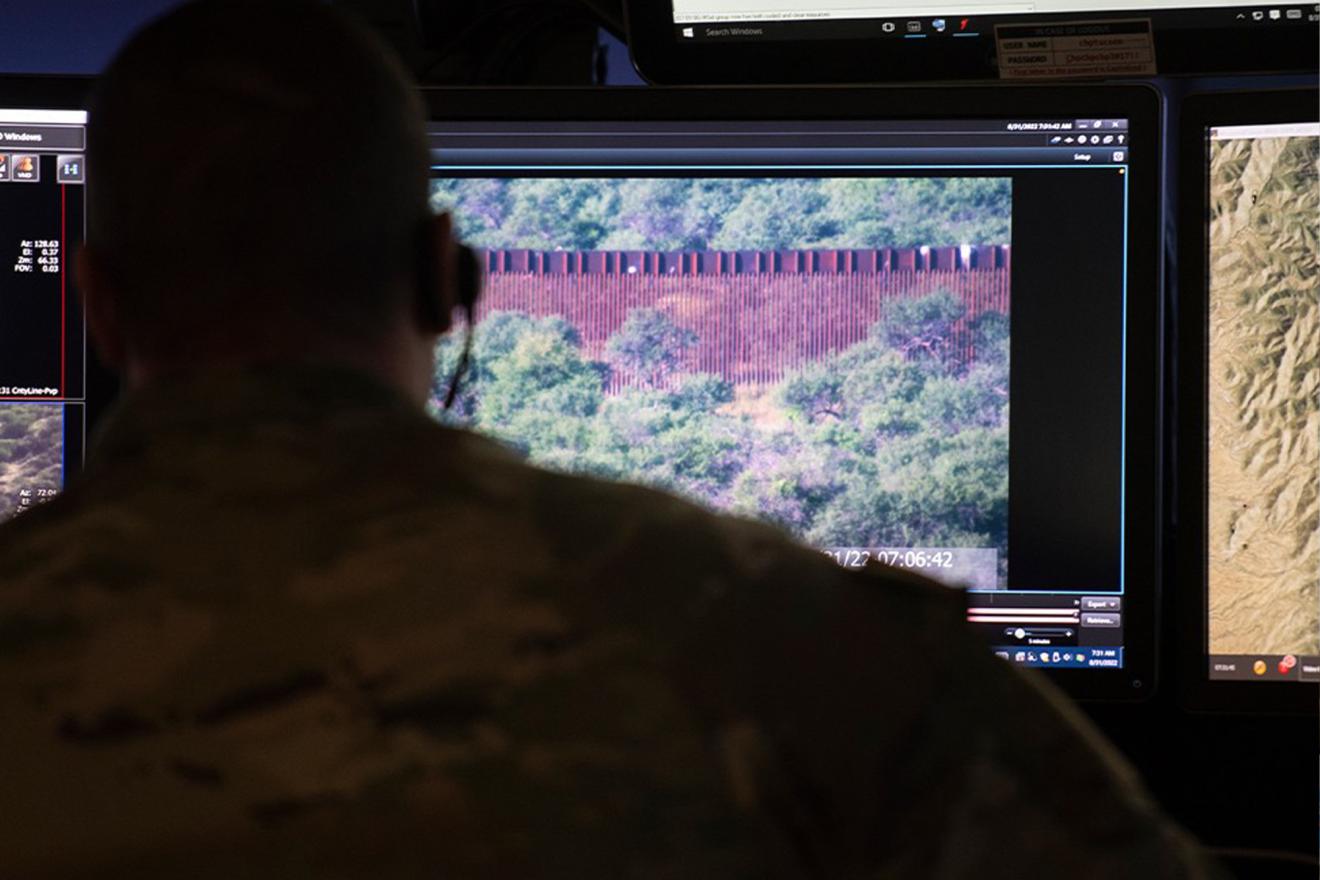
(42,327)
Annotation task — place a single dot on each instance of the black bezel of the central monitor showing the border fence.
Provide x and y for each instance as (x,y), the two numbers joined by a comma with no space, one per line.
(1138,104)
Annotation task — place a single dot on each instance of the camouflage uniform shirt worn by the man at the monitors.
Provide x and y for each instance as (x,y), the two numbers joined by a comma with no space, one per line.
(286,626)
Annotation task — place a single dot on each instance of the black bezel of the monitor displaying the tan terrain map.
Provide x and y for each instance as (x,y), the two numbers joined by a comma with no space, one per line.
(1201,111)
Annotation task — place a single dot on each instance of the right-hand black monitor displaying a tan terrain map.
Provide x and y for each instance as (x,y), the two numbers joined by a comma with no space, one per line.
(1249,527)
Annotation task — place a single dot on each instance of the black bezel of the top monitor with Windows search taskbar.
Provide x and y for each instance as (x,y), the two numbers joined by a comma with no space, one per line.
(662,59)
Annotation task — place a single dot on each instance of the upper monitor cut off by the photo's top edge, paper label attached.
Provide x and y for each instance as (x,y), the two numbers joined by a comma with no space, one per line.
(803,42)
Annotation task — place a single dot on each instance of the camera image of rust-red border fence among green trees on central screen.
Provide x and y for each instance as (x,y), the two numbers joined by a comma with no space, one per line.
(826,354)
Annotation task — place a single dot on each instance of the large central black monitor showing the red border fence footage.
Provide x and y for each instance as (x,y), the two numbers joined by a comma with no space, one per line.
(820,307)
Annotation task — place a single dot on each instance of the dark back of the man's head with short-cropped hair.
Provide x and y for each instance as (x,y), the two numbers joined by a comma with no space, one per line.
(259,193)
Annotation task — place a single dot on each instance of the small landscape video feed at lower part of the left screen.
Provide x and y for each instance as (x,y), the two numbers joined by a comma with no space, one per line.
(31,456)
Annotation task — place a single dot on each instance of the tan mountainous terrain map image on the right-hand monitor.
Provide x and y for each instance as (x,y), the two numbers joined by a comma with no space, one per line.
(1264,410)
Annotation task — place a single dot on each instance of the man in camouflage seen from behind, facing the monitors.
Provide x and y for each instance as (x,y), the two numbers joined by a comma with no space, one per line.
(286,626)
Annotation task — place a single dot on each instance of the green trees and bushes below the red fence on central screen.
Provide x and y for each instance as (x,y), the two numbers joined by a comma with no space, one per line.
(889,443)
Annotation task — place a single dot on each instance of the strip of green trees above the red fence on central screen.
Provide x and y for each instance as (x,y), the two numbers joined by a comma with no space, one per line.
(727,214)
